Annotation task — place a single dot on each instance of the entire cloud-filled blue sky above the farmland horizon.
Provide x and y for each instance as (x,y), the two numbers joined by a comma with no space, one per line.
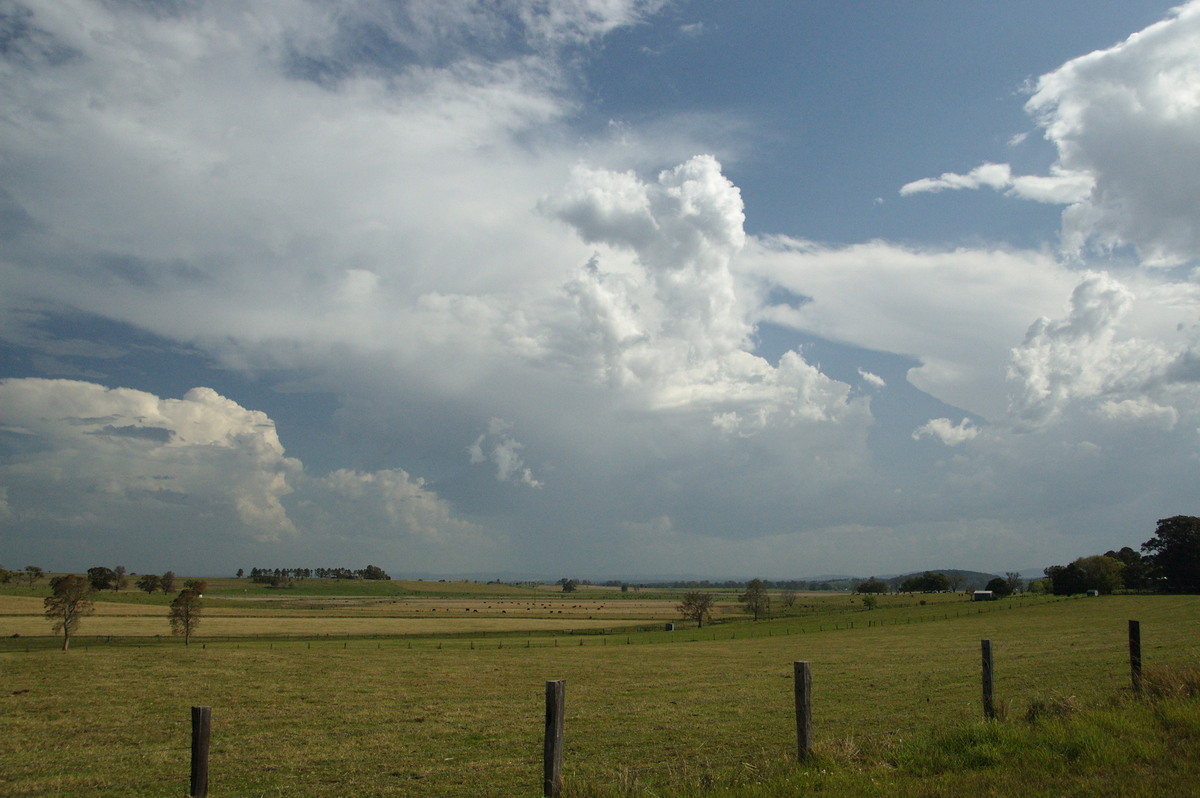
(597,289)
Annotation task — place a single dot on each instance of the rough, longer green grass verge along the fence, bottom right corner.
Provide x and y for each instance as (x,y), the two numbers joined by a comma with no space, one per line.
(1131,748)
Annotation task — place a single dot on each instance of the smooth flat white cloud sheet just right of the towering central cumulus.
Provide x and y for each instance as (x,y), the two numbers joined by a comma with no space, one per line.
(958,311)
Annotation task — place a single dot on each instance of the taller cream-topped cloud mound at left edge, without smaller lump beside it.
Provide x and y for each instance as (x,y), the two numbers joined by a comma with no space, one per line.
(80,453)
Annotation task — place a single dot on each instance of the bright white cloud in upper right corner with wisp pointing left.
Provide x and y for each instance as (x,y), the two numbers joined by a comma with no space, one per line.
(1126,125)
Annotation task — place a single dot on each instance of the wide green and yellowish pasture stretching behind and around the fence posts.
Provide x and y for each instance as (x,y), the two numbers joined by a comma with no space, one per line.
(440,711)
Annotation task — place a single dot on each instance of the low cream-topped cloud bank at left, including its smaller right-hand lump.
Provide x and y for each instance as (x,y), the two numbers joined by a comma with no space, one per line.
(197,472)
